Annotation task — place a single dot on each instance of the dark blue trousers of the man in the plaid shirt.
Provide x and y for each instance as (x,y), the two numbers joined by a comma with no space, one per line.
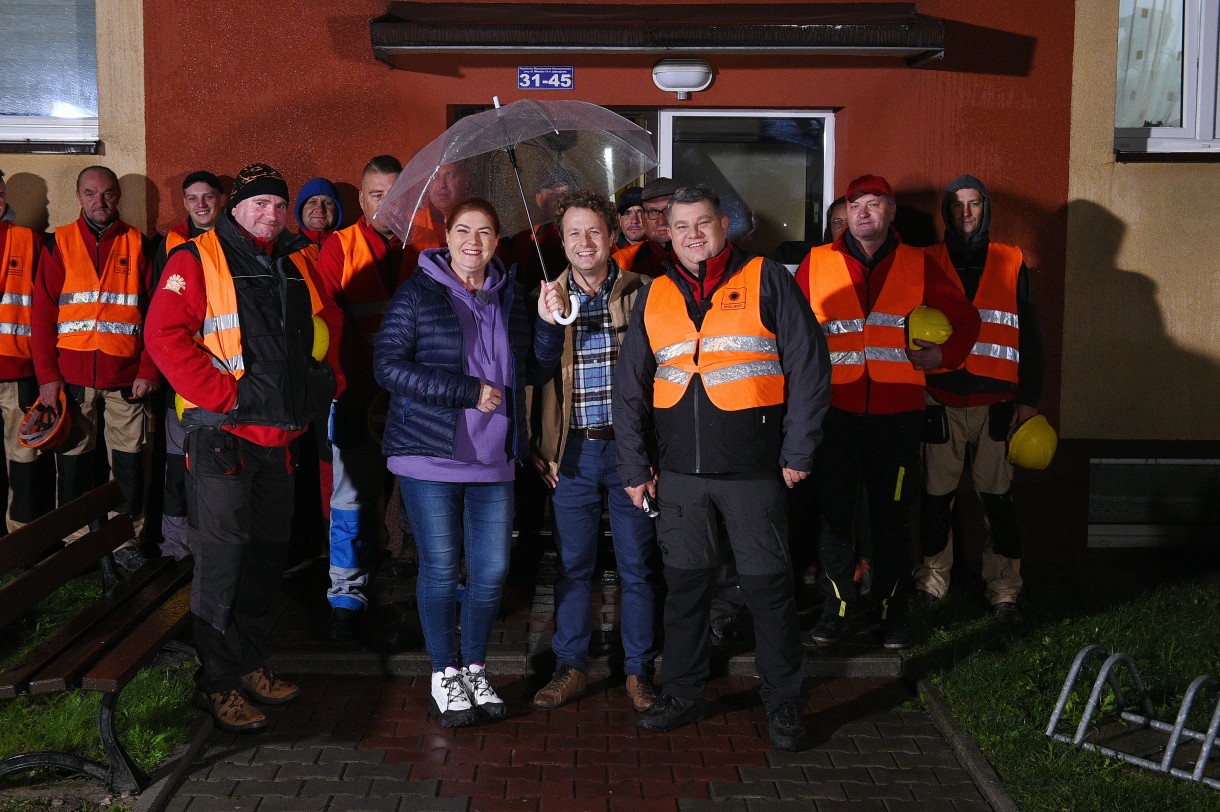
(589,470)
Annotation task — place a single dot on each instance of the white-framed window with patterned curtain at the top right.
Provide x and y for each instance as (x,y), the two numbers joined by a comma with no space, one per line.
(1168,69)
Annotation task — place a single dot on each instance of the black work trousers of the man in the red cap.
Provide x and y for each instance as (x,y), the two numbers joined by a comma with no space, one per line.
(881,452)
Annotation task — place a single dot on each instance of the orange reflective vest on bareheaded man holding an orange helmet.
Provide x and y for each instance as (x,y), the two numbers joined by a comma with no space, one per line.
(101,312)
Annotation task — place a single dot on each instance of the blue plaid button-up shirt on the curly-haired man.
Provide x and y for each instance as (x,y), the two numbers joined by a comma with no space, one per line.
(595,352)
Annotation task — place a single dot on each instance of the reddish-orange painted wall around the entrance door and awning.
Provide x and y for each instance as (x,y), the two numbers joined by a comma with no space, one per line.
(297,86)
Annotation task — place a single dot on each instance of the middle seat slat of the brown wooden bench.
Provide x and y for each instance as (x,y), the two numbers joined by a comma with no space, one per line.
(103,638)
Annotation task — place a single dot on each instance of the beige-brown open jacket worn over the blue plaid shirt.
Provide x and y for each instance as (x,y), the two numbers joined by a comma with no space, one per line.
(550,405)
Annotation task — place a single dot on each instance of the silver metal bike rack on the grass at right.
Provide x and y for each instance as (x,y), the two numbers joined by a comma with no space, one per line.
(1178,731)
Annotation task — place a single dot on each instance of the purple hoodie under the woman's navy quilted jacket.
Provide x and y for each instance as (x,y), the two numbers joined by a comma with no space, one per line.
(481,440)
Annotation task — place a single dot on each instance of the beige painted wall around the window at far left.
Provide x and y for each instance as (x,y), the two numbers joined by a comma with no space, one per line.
(42,188)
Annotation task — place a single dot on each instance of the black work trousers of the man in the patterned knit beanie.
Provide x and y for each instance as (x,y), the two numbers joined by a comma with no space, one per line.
(240,502)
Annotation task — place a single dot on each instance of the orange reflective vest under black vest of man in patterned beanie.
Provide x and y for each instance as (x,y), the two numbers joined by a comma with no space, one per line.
(221,332)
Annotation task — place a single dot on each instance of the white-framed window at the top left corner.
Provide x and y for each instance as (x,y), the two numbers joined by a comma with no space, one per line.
(48,75)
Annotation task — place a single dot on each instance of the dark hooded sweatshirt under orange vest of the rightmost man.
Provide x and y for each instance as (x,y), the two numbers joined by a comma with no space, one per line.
(969,255)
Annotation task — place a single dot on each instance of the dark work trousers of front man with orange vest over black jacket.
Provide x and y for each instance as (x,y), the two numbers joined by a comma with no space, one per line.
(755,513)
